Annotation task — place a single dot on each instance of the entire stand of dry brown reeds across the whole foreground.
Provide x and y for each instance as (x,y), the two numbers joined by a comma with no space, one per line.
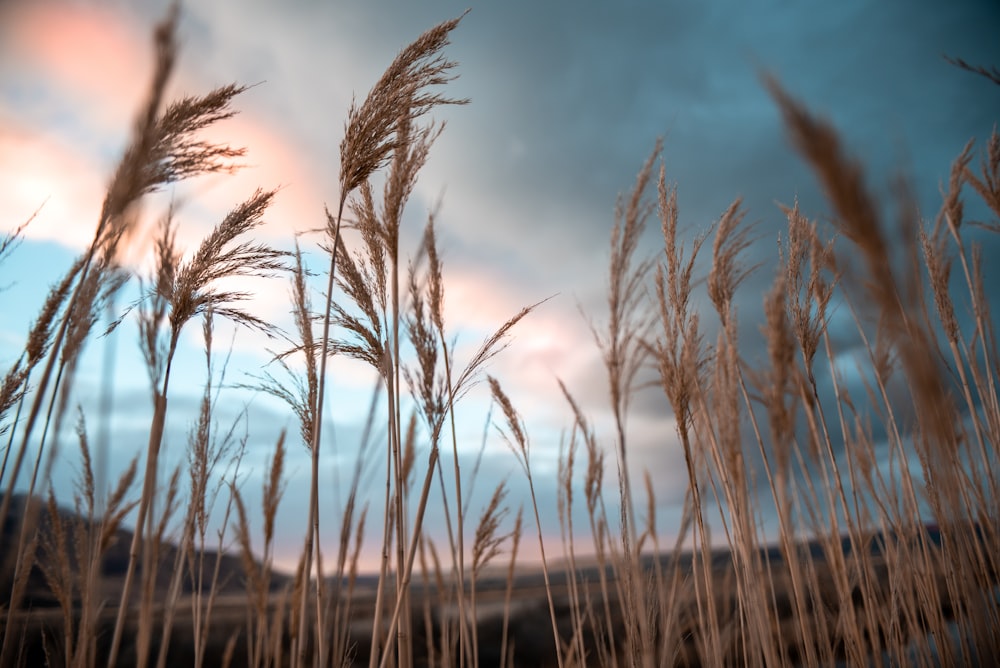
(820,525)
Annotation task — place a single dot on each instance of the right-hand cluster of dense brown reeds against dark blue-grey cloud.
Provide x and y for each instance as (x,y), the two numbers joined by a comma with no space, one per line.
(857,528)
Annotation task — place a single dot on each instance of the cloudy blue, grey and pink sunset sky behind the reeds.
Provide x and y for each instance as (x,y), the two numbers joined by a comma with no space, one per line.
(566,102)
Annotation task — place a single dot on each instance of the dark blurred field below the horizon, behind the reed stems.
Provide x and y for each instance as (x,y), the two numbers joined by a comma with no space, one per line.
(523,609)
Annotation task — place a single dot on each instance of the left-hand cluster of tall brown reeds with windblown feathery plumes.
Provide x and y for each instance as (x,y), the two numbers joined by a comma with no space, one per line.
(377,308)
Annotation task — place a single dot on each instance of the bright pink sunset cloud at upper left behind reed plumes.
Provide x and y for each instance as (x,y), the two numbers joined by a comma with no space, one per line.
(93,65)
